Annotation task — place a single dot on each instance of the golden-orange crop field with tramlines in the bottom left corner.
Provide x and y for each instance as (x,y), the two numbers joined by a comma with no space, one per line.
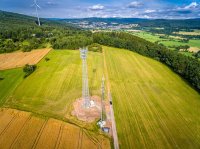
(23,130)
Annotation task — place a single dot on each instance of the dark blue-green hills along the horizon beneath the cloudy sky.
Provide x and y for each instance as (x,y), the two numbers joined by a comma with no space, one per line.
(19,19)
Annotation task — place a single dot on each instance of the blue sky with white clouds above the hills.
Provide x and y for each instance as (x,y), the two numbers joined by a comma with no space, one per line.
(171,9)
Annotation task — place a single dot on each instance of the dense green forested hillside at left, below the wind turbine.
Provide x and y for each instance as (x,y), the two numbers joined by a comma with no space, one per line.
(22,32)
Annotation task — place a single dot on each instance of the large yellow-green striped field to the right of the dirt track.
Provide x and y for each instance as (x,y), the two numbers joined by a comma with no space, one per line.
(154,107)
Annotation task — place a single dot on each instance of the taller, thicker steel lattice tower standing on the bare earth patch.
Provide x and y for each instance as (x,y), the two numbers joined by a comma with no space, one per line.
(85,87)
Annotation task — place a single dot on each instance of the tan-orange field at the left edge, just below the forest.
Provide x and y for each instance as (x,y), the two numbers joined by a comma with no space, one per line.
(19,59)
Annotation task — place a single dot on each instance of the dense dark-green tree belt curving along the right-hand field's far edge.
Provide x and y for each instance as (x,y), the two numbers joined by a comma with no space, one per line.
(187,67)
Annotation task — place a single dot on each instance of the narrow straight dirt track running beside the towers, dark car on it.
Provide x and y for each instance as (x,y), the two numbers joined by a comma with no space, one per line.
(114,130)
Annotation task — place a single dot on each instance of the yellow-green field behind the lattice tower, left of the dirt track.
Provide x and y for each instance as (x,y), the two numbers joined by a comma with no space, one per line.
(56,84)
